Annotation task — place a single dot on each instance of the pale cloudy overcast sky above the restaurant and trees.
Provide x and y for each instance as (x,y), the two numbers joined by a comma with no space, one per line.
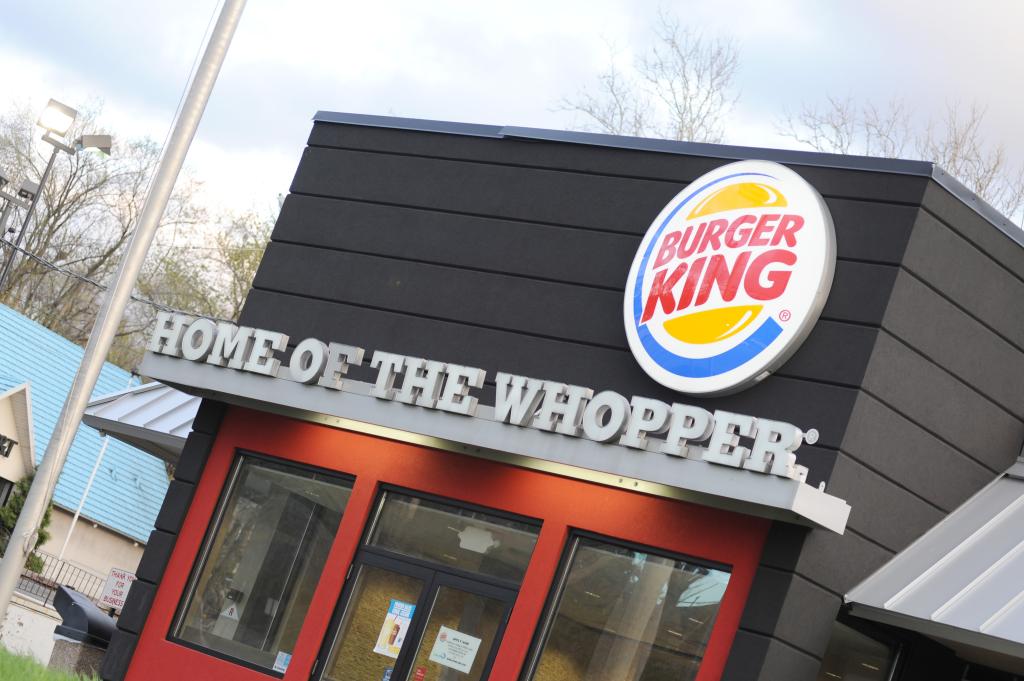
(486,63)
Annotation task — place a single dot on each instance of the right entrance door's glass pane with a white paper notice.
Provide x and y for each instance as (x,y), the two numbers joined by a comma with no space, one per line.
(458,637)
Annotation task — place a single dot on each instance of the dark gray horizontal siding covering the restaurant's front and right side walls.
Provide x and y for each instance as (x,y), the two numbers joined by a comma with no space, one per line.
(511,254)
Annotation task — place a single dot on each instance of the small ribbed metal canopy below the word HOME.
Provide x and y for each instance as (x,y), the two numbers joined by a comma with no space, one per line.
(156,418)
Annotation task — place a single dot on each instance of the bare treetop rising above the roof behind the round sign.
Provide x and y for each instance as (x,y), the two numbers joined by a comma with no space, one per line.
(680,89)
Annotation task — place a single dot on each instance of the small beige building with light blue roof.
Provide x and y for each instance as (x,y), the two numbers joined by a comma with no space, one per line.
(37,367)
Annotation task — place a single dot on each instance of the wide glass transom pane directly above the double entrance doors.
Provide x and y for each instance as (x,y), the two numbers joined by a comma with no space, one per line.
(455,537)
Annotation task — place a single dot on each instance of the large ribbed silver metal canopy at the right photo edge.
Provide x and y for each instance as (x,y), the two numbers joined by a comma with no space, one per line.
(961,582)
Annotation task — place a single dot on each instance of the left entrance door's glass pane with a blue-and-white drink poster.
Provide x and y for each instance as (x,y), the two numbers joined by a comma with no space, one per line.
(374,627)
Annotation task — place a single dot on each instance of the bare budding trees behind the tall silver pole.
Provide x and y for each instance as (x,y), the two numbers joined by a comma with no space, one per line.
(87,217)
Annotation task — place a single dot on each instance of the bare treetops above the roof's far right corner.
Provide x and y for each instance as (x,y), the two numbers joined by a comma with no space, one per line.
(956,143)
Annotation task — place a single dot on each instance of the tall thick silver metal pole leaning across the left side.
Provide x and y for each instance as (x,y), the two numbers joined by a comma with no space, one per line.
(115,301)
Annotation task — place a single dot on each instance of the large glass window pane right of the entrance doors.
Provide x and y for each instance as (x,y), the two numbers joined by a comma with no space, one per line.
(629,616)
